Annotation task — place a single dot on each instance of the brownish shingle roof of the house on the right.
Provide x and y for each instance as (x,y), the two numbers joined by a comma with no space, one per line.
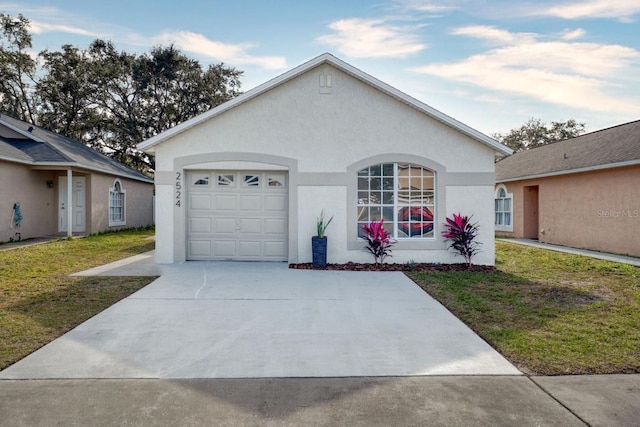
(615,146)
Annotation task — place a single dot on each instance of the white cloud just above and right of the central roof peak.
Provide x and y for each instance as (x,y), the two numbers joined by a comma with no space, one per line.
(372,38)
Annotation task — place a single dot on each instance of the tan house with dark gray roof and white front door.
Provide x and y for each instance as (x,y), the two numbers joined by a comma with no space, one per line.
(41,171)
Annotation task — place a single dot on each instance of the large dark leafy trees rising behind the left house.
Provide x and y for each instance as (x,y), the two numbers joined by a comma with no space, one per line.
(112,100)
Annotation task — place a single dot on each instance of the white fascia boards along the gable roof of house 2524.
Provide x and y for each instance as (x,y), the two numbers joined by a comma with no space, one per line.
(148,145)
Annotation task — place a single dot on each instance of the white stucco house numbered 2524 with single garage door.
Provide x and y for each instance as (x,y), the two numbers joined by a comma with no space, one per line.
(247,179)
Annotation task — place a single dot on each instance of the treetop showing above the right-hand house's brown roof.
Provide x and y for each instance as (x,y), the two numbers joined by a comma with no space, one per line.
(534,133)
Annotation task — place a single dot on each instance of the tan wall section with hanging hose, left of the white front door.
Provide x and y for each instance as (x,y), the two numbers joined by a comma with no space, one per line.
(22,185)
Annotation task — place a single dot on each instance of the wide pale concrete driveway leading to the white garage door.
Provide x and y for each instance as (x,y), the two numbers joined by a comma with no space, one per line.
(264,320)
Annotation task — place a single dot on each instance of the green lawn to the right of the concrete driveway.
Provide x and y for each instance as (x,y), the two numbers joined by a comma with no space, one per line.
(547,312)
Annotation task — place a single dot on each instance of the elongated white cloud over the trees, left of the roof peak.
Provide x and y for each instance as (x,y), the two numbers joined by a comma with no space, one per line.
(225,52)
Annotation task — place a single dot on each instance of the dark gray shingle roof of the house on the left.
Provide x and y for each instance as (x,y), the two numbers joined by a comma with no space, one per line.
(42,146)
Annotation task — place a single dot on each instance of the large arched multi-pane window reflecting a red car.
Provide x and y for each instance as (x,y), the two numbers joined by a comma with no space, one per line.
(403,194)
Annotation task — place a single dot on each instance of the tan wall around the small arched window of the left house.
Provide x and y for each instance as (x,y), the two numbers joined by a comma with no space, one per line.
(139,202)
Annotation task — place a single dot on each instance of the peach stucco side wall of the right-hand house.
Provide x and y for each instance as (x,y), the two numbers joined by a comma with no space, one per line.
(597,210)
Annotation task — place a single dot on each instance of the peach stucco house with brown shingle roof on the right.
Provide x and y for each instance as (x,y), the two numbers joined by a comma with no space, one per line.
(583,192)
